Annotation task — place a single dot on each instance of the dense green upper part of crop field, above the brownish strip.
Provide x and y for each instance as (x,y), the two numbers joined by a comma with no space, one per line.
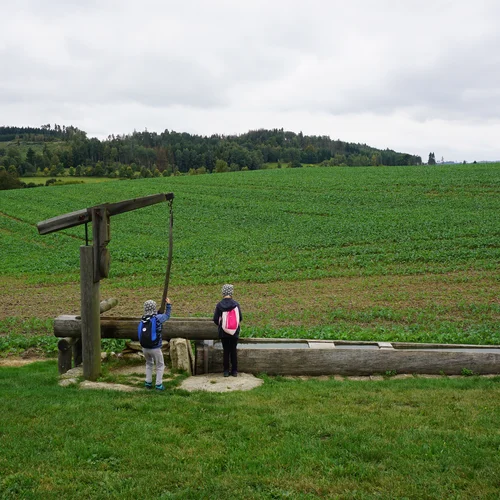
(275,225)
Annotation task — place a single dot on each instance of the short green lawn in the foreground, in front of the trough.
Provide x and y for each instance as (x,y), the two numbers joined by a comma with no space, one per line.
(287,439)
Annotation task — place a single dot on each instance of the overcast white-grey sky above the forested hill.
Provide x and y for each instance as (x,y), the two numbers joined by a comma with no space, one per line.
(410,75)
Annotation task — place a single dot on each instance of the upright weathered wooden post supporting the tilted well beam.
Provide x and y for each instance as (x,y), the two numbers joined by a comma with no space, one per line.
(91,327)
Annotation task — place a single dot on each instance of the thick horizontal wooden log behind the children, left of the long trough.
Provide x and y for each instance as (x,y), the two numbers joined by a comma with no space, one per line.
(126,328)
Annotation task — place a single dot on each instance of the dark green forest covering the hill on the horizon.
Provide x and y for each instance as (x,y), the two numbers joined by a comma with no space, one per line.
(66,150)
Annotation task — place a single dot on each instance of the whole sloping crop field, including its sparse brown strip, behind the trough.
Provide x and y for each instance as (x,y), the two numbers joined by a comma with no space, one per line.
(400,253)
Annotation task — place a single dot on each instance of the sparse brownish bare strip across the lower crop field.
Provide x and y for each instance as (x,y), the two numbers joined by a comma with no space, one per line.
(298,302)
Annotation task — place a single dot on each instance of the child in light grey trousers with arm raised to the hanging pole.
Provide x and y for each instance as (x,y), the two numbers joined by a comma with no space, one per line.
(154,354)
